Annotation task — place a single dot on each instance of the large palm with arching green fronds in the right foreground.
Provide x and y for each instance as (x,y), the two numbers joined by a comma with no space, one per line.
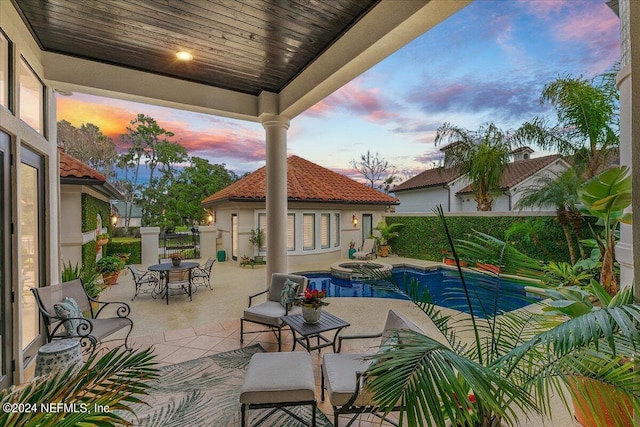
(514,360)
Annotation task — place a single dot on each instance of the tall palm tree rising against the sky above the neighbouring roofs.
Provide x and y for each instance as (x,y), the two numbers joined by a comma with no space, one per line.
(587,125)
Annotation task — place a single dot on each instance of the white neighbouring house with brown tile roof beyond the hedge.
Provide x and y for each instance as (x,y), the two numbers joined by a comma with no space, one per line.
(446,187)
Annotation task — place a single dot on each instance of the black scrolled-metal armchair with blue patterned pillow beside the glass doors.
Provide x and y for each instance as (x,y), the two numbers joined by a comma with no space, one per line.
(62,306)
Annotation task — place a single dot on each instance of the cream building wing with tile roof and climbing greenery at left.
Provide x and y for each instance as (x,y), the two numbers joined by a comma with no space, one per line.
(84,192)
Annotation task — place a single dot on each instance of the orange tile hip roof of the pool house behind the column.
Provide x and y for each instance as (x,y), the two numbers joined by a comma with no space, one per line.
(306,181)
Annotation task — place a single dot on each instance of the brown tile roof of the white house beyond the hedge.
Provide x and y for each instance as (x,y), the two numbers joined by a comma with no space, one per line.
(514,173)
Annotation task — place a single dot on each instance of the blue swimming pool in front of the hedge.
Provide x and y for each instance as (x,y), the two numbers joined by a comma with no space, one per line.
(488,295)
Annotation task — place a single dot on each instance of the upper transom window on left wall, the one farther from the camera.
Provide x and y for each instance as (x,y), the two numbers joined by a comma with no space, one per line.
(31,98)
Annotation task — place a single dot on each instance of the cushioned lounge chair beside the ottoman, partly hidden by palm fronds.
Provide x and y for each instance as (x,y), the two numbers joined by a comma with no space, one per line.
(342,372)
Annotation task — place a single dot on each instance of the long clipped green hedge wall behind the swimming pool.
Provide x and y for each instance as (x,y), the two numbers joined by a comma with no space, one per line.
(424,237)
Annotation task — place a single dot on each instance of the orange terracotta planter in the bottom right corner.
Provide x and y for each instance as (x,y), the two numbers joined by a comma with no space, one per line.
(606,395)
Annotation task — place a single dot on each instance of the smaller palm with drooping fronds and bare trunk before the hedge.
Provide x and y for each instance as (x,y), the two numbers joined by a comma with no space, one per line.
(560,191)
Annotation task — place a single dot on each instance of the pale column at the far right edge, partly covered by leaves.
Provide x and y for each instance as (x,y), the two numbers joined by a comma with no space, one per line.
(624,248)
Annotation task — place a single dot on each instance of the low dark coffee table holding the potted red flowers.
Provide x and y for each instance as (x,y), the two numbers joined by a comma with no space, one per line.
(327,322)
